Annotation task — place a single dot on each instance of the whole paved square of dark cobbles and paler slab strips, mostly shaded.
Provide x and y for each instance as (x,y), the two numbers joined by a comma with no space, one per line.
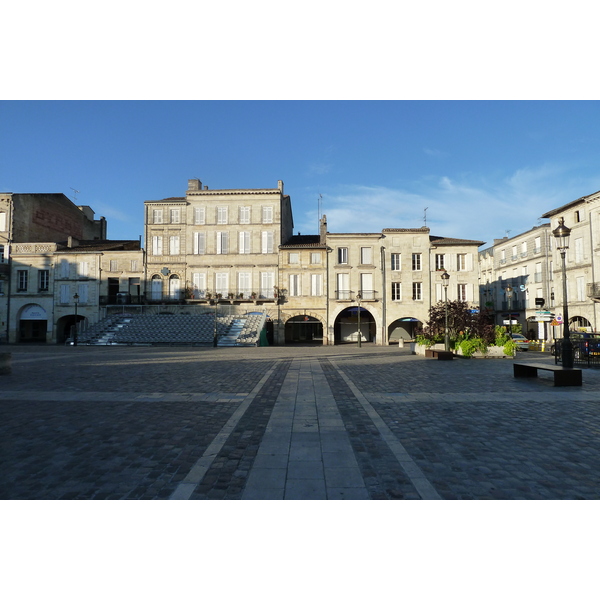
(293,422)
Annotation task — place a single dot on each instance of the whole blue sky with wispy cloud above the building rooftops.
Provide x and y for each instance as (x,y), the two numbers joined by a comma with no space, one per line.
(480,168)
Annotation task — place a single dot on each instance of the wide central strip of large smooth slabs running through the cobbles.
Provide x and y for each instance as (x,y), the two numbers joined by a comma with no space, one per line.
(305,453)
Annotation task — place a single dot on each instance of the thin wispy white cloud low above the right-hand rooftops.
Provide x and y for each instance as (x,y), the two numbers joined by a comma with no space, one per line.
(469,208)
